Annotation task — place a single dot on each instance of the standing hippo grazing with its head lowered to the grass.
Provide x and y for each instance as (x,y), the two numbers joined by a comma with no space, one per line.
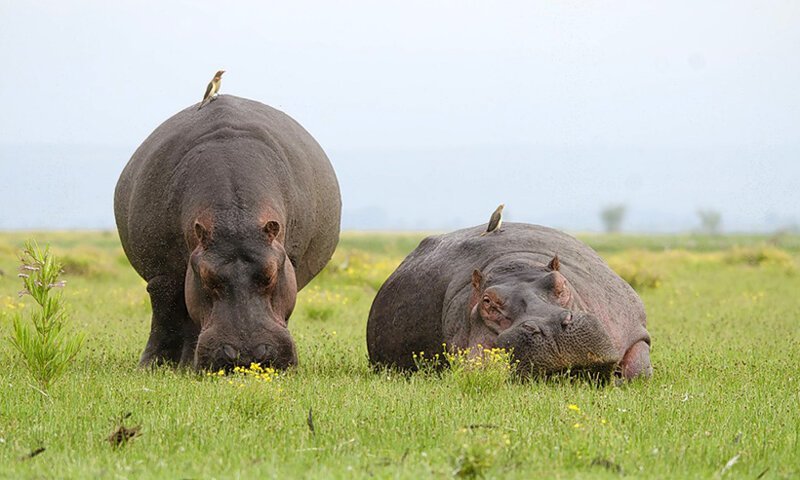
(226,212)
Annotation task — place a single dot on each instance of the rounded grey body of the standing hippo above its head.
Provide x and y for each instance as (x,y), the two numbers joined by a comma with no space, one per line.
(191,152)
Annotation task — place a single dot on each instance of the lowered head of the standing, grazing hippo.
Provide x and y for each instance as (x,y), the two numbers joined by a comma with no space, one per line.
(241,290)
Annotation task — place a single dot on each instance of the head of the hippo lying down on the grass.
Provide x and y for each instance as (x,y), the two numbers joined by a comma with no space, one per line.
(532,312)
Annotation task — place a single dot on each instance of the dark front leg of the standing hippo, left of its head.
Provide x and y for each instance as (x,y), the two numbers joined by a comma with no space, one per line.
(170,325)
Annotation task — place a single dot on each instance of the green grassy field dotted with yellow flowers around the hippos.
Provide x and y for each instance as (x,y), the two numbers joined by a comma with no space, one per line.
(724,401)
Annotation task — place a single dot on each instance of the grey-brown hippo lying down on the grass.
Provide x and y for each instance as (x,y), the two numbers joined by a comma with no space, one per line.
(536,291)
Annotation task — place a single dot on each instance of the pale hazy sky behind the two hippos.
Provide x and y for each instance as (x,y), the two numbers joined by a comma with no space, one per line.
(588,116)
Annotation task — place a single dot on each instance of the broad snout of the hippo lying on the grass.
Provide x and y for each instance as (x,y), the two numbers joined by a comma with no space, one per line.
(570,341)
